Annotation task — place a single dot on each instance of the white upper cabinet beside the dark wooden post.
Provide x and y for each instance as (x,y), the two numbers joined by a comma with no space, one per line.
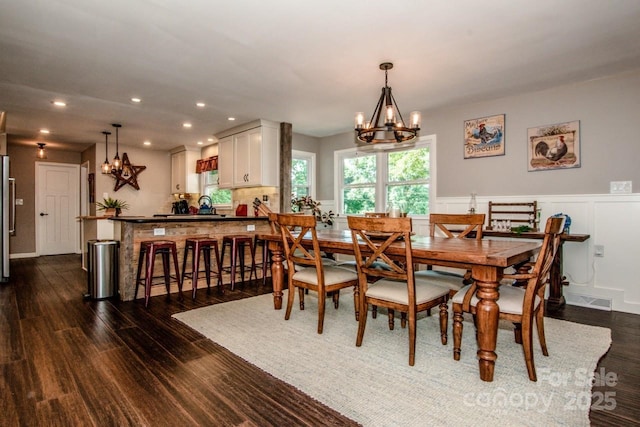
(248,155)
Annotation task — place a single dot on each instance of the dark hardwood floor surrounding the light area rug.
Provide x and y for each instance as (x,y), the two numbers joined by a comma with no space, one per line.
(69,361)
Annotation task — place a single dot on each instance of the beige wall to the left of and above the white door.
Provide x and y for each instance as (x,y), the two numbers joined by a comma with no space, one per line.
(22,168)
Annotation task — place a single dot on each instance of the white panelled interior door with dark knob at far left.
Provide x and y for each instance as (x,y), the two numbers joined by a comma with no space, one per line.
(57,208)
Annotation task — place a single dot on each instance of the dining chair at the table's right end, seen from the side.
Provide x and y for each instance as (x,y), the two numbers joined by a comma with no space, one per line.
(520,305)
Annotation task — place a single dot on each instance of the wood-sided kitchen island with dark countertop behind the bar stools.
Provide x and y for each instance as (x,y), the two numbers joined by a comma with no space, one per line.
(131,230)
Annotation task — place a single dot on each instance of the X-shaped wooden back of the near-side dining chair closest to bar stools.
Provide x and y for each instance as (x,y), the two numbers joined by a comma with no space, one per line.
(294,228)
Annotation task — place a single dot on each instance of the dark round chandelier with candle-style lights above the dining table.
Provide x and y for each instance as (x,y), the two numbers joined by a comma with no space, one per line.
(386,124)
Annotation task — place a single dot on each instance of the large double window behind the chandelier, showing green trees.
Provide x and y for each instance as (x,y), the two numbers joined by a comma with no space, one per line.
(370,181)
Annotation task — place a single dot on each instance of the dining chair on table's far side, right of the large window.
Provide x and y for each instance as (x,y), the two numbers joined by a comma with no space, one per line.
(452,226)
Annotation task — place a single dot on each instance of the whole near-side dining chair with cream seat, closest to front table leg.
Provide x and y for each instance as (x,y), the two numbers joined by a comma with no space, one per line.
(388,240)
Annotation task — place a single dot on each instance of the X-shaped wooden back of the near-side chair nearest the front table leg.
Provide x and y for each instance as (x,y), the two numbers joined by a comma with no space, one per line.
(372,237)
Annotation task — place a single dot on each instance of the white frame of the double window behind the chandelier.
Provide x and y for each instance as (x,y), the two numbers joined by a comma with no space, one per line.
(381,181)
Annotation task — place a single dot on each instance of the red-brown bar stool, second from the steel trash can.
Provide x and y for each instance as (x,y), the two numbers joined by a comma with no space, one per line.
(198,245)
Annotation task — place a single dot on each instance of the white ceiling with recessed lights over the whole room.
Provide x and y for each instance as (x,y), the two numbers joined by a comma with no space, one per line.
(309,63)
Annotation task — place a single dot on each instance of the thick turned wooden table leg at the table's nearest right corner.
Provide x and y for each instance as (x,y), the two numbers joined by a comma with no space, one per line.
(487,314)
